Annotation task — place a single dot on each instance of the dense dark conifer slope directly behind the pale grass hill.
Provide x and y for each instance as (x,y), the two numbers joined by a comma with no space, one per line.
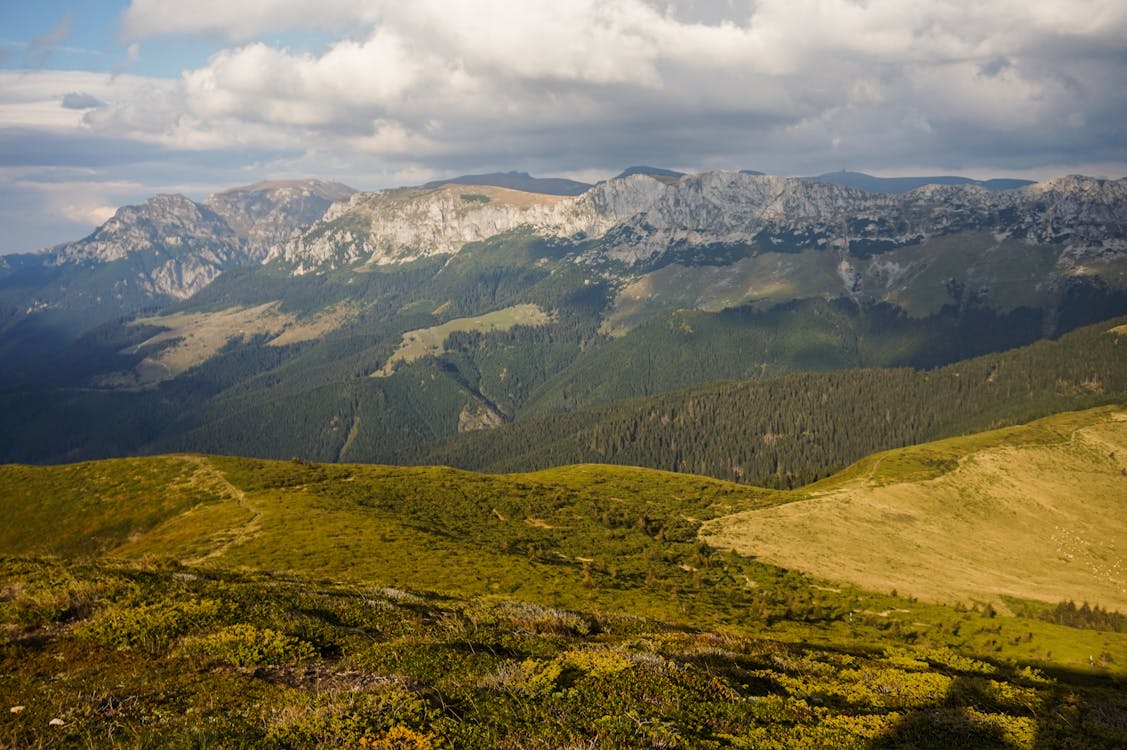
(798,429)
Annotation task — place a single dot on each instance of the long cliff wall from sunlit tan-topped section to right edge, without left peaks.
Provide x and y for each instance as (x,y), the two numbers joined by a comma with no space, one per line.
(640,218)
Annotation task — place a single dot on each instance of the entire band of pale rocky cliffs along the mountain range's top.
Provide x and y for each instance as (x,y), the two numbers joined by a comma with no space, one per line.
(171,248)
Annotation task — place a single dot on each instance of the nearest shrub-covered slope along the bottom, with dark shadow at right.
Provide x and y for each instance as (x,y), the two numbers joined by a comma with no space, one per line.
(147,656)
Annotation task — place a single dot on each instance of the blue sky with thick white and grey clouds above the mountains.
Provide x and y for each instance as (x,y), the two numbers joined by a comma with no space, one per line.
(104,103)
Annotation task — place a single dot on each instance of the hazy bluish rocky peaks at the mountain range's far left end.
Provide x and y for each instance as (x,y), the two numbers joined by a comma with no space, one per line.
(158,253)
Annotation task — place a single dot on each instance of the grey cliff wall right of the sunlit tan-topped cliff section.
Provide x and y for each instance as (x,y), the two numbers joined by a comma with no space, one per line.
(787,214)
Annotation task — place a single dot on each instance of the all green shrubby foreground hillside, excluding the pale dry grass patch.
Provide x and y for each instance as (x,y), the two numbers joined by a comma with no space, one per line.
(203,602)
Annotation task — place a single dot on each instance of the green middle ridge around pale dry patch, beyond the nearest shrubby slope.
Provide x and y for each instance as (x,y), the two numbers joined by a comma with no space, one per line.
(598,539)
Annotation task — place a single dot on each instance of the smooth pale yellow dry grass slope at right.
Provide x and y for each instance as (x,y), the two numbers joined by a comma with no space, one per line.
(1036,513)
